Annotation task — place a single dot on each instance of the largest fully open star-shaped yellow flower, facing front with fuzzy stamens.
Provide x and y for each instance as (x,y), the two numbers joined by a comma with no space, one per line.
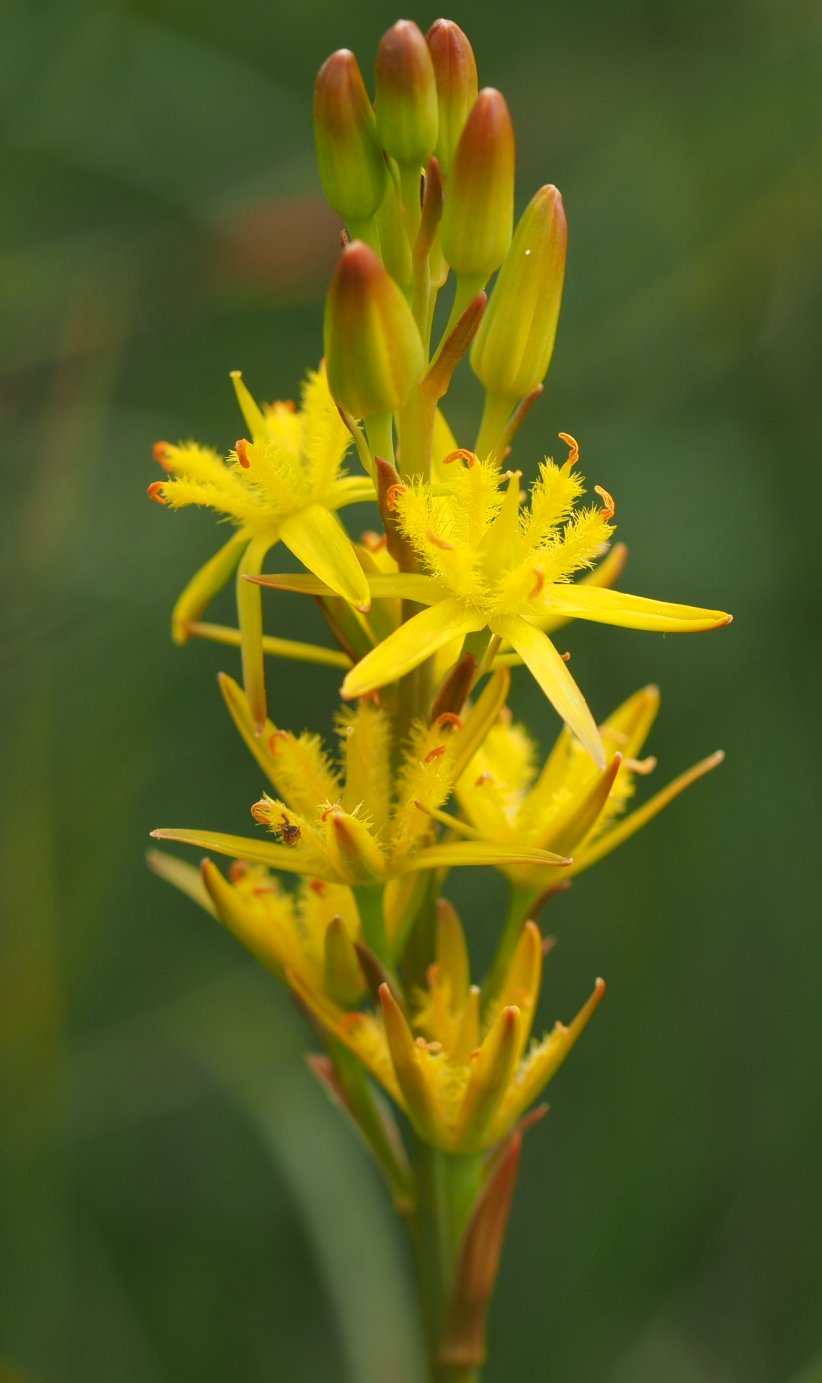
(493,568)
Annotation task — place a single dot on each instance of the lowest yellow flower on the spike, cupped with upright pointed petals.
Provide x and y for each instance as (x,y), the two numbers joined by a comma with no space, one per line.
(463,1077)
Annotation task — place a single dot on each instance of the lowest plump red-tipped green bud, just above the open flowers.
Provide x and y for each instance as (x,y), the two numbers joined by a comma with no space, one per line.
(373,348)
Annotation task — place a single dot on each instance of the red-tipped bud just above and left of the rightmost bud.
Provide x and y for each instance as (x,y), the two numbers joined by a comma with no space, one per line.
(478,218)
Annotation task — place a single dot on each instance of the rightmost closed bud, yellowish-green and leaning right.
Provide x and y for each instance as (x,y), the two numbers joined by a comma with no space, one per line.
(513,349)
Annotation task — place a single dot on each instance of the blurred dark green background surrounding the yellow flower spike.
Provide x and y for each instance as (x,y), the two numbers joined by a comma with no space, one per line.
(178,1201)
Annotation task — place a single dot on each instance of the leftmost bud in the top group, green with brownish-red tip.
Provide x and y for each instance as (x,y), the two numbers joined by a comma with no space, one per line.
(352,168)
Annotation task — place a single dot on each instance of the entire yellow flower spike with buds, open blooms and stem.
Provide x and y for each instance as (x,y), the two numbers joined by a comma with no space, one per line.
(473,572)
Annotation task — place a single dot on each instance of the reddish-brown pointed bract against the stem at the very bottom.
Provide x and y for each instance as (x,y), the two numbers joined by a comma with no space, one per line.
(464,1342)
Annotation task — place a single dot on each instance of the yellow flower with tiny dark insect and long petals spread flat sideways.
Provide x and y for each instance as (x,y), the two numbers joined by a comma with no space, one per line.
(362,825)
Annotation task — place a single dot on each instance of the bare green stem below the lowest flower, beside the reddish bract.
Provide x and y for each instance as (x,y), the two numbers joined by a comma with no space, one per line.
(448,1186)
